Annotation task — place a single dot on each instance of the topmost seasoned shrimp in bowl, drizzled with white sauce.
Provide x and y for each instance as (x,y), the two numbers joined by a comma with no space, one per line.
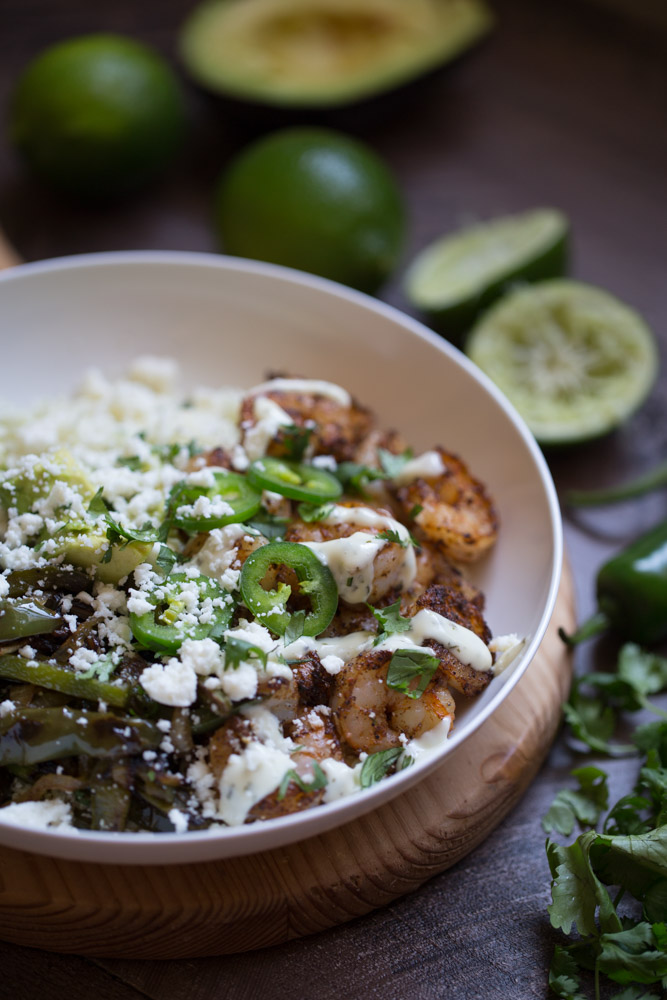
(336,423)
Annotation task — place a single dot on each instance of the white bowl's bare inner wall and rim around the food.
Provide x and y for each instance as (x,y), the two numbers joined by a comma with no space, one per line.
(228,322)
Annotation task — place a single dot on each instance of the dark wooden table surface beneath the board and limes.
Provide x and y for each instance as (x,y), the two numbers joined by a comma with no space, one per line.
(565,105)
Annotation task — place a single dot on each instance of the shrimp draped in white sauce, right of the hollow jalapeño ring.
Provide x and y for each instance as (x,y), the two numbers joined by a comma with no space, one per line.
(370,566)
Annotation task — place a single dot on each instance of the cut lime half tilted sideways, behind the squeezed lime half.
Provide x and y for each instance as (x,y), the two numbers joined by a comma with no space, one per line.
(455,278)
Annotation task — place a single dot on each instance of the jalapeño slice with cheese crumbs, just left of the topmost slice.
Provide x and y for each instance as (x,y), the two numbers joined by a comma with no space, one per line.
(199,508)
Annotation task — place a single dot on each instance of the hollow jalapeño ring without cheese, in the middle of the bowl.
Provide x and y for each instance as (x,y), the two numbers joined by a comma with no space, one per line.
(315,581)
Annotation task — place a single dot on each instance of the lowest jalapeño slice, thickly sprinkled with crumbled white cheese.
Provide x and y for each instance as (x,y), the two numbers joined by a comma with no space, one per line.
(165,628)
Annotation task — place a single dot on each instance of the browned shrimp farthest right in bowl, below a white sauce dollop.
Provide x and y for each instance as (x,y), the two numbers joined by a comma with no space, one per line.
(456,510)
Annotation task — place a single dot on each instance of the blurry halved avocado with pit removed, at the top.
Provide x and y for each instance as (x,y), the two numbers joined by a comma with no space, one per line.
(324,53)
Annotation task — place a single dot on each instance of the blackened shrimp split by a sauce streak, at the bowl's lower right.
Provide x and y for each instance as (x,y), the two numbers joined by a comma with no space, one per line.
(453,604)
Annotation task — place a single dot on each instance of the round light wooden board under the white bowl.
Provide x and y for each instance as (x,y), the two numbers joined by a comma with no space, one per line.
(234,905)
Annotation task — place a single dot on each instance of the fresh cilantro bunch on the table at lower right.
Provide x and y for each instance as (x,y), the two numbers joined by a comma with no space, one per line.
(609,886)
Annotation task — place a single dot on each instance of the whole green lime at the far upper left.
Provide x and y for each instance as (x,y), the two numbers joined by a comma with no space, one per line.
(97,115)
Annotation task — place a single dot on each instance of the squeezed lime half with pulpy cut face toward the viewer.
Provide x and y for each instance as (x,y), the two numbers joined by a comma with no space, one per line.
(574,361)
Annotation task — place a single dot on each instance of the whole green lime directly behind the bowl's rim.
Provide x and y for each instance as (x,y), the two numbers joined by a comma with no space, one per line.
(315,200)
